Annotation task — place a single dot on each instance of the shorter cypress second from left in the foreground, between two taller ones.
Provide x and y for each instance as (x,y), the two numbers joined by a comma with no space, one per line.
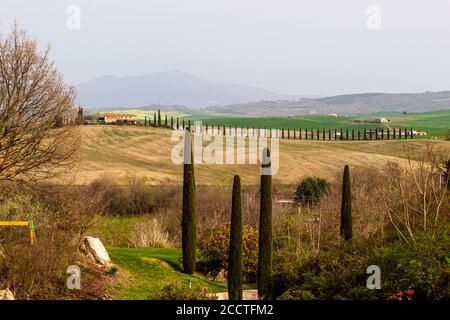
(235,259)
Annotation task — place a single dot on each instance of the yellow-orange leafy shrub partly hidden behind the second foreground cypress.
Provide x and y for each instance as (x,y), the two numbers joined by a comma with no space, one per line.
(215,249)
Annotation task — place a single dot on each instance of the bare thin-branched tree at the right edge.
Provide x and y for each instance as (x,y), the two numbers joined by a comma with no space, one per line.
(415,196)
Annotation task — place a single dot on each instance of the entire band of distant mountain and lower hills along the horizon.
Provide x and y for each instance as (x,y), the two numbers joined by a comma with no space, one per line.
(181,91)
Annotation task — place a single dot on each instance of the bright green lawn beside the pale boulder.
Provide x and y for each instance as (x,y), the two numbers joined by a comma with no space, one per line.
(151,269)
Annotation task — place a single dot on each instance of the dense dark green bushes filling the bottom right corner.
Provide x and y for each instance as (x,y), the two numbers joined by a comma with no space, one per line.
(418,271)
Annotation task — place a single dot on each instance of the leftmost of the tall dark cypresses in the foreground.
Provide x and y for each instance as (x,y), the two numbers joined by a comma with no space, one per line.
(189,215)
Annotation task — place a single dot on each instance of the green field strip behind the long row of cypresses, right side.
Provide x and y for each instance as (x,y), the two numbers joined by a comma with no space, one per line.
(436,123)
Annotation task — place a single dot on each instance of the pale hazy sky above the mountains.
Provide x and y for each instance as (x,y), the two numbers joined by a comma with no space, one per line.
(318,47)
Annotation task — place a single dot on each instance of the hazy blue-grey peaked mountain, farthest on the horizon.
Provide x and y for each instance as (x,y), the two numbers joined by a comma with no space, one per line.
(167,88)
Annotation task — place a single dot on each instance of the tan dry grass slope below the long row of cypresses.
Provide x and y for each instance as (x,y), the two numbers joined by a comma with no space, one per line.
(123,152)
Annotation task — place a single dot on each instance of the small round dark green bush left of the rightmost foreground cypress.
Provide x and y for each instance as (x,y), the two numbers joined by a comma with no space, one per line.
(310,190)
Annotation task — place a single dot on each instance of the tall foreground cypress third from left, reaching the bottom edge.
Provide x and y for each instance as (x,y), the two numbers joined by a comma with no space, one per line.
(264,276)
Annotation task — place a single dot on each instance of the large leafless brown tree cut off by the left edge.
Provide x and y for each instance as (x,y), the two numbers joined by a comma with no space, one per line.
(38,134)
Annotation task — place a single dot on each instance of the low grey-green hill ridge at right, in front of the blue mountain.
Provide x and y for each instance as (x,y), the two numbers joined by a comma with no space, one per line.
(344,104)
